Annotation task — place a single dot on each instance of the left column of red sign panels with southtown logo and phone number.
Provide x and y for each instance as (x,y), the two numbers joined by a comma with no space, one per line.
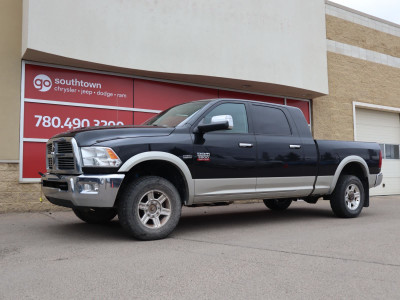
(55,100)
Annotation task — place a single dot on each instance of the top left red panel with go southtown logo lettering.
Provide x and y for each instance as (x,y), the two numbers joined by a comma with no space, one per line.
(55,84)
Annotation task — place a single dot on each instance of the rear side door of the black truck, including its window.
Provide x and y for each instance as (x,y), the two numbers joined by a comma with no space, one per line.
(280,167)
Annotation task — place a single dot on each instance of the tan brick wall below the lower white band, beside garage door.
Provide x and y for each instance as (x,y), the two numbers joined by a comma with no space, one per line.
(352,79)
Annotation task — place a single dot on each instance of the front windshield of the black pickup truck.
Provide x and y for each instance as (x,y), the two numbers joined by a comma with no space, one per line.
(176,115)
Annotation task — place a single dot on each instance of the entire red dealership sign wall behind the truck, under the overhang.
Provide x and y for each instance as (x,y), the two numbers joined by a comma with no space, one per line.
(56,99)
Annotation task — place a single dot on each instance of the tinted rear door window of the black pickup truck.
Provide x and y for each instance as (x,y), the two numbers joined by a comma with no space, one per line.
(269,120)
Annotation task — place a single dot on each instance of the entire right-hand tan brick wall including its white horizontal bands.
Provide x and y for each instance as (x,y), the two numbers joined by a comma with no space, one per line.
(363,66)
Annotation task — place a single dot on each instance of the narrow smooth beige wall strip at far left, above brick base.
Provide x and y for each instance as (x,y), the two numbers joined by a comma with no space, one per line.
(10,76)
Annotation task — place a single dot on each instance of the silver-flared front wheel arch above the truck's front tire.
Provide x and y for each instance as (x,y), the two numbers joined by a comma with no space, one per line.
(167,162)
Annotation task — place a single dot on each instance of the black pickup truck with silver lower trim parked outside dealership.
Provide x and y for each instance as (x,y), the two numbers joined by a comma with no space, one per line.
(205,152)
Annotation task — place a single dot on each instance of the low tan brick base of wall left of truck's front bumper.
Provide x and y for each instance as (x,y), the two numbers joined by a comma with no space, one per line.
(18,197)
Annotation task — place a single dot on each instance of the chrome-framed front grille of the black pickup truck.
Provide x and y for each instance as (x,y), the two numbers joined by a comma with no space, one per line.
(61,156)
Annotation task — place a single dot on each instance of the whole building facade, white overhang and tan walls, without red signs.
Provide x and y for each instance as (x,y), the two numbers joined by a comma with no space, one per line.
(363,58)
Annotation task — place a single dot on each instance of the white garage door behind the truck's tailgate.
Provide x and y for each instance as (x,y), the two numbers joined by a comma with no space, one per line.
(383,128)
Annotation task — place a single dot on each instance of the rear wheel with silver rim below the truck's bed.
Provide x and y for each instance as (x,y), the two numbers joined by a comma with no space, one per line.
(347,200)
